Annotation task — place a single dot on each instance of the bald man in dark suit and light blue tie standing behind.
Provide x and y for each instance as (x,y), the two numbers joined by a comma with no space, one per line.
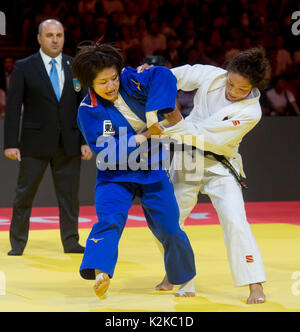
(44,85)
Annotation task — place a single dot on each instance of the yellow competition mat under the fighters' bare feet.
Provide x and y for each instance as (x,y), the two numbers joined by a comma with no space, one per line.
(46,279)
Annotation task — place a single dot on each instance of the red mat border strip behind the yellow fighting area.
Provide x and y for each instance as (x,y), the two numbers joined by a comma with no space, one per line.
(203,214)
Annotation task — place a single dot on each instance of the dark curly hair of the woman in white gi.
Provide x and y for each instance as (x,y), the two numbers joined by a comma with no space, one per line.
(252,64)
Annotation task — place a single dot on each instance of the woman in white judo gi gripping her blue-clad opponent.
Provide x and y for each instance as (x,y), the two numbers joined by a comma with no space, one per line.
(226,108)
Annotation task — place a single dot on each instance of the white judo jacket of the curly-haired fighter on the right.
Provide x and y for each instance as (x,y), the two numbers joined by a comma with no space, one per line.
(223,130)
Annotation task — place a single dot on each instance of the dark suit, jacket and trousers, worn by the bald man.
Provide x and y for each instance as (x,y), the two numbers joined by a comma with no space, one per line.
(48,126)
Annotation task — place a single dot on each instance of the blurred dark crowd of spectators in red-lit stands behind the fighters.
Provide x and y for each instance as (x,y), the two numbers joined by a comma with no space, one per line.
(181,31)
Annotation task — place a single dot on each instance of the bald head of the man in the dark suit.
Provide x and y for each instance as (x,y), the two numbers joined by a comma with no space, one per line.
(51,37)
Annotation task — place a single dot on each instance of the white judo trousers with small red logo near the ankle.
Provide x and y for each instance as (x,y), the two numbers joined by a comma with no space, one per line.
(226,196)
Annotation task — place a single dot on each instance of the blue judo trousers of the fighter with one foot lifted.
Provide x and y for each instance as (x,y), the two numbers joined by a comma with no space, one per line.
(113,201)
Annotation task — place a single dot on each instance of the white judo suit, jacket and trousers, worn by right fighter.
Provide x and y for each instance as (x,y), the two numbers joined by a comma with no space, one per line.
(220,126)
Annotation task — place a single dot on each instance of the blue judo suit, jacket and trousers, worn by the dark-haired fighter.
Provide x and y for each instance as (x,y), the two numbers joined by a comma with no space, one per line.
(106,130)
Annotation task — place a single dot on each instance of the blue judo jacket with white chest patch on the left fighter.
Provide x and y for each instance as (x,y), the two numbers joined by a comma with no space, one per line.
(111,137)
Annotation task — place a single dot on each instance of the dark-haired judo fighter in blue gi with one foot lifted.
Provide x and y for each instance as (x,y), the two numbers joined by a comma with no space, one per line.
(116,117)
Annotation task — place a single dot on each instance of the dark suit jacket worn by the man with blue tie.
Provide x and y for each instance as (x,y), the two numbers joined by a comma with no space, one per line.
(44,118)
